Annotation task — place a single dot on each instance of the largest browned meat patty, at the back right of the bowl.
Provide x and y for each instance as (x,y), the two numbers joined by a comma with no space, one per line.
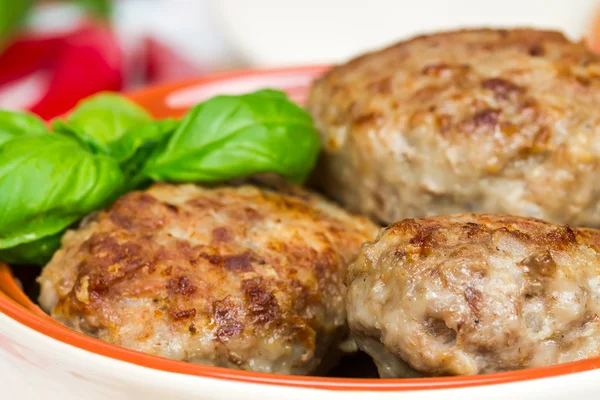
(497,121)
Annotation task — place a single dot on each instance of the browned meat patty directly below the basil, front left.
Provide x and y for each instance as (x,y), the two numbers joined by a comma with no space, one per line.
(239,277)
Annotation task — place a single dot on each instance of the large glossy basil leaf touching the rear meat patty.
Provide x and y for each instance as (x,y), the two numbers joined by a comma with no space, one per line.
(230,137)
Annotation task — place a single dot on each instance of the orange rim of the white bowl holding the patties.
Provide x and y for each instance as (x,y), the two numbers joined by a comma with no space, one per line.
(16,305)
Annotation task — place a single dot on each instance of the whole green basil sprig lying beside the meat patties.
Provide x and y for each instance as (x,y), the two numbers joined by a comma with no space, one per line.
(108,145)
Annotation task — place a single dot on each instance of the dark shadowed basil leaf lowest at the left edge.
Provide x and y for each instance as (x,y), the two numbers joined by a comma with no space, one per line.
(38,252)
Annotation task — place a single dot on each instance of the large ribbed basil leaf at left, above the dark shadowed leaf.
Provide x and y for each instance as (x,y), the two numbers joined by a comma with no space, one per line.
(47,183)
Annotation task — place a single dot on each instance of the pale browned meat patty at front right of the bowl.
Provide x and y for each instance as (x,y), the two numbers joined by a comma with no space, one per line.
(469,294)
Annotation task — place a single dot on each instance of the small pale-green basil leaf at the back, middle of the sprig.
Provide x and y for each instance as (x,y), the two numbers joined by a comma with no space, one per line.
(100,120)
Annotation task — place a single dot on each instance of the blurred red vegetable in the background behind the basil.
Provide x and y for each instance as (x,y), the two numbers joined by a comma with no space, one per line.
(76,64)
